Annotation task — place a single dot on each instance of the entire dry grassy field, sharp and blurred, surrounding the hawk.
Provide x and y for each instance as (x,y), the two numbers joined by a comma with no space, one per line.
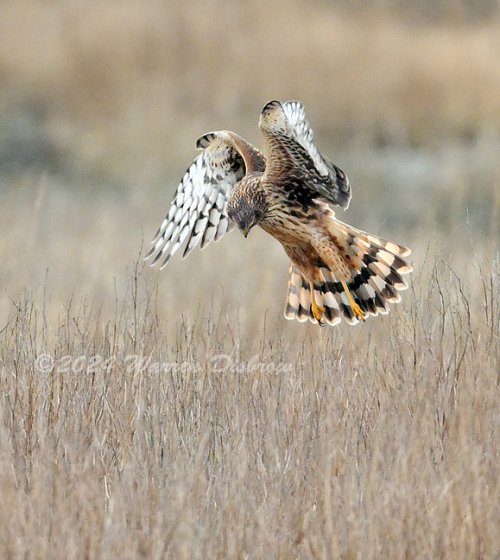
(176,414)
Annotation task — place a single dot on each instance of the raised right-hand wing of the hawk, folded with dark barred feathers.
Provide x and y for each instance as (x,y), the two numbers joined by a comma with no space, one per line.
(291,145)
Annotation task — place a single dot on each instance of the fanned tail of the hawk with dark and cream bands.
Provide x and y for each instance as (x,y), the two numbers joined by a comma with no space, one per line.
(376,270)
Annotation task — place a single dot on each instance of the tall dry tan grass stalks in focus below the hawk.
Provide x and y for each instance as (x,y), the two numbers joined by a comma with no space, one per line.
(148,435)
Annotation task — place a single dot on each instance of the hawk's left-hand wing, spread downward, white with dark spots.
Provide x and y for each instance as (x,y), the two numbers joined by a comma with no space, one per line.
(198,212)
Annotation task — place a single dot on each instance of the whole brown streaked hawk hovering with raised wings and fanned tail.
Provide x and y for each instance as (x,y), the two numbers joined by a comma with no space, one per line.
(335,270)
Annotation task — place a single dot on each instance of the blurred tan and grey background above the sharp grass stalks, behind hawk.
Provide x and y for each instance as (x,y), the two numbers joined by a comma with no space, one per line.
(101,103)
